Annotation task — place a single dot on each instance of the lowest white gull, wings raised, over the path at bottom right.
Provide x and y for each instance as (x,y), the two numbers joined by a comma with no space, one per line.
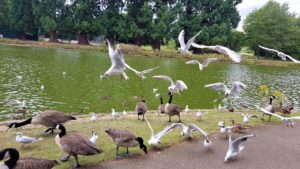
(235,146)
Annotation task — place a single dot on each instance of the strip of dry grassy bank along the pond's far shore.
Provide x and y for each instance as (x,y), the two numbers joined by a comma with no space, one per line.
(166,52)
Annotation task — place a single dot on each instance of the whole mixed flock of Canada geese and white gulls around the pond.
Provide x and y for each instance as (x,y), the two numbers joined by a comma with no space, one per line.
(73,144)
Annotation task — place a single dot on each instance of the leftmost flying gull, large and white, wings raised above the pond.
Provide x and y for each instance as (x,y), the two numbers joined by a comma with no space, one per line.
(118,64)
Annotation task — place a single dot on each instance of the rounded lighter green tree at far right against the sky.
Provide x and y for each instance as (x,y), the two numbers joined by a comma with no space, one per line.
(273,26)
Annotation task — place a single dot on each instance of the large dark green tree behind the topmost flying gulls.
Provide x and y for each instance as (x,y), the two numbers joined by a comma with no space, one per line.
(216,19)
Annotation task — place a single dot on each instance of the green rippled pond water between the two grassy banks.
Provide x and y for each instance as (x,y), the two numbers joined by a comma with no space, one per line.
(24,70)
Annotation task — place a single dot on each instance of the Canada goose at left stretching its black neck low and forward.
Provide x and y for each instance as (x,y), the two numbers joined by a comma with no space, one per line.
(48,118)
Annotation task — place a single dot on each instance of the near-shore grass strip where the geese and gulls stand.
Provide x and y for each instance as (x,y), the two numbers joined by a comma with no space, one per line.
(47,148)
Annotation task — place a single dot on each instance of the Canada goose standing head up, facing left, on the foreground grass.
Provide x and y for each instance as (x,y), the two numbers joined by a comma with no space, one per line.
(75,144)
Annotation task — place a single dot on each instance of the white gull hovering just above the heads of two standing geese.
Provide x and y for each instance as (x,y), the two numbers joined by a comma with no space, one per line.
(174,87)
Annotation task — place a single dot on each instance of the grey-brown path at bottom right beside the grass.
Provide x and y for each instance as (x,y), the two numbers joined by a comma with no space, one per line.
(275,146)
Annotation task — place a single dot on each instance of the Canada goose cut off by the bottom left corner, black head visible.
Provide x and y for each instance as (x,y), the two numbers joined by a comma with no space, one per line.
(15,162)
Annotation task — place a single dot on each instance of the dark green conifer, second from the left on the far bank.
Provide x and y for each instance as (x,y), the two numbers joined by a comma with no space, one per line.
(48,14)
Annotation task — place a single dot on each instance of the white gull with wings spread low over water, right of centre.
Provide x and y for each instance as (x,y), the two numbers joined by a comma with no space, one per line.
(235,89)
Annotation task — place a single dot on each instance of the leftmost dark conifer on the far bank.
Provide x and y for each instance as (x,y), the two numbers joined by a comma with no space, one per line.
(22,18)
